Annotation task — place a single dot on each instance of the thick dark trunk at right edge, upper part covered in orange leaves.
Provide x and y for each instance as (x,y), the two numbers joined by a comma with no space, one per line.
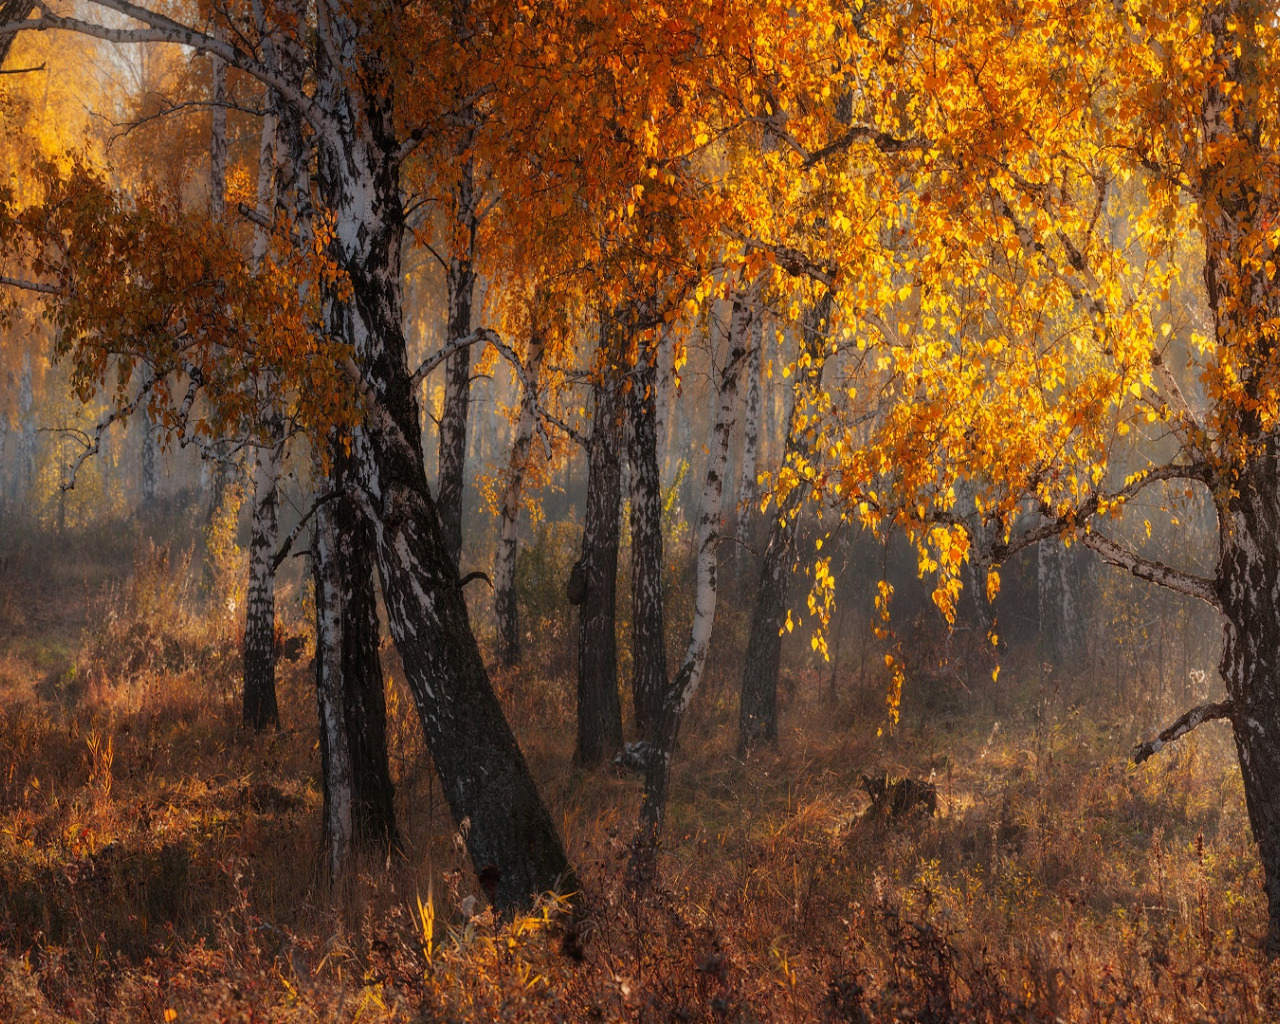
(1245,303)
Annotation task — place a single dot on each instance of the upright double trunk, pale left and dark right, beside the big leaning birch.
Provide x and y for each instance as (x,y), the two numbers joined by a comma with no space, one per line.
(359,796)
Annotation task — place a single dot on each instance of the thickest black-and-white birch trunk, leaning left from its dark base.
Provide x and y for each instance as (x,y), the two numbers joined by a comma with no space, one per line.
(492,796)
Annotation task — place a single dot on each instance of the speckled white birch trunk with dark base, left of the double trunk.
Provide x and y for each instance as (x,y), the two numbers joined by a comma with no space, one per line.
(260,710)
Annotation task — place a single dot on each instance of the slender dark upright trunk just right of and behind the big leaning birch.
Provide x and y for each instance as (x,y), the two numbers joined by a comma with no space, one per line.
(458,369)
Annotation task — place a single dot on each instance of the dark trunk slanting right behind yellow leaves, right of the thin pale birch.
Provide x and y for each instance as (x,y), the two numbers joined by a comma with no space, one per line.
(758,708)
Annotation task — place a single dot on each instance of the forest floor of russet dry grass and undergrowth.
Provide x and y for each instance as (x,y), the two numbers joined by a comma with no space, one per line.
(158,863)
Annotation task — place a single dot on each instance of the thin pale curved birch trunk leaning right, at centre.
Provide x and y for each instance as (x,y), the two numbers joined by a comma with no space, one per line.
(657,781)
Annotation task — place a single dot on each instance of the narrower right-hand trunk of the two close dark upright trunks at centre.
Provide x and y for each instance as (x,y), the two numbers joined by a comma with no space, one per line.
(648,633)
